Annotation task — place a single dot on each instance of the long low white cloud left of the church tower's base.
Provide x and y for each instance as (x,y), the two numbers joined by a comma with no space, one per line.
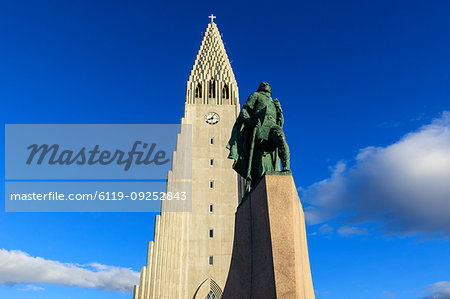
(18,267)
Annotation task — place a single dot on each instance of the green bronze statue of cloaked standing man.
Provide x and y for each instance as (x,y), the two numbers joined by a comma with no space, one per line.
(257,142)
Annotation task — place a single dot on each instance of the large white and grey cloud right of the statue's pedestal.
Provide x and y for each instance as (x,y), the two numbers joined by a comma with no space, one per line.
(404,186)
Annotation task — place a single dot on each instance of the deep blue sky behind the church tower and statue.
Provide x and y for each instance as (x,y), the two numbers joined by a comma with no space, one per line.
(364,86)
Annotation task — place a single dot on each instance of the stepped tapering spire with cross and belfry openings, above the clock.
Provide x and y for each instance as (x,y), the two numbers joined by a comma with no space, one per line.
(212,80)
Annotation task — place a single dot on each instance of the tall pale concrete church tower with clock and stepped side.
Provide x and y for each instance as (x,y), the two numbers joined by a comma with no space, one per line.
(190,254)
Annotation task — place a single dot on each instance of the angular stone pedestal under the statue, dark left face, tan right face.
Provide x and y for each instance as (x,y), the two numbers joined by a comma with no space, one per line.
(270,253)
